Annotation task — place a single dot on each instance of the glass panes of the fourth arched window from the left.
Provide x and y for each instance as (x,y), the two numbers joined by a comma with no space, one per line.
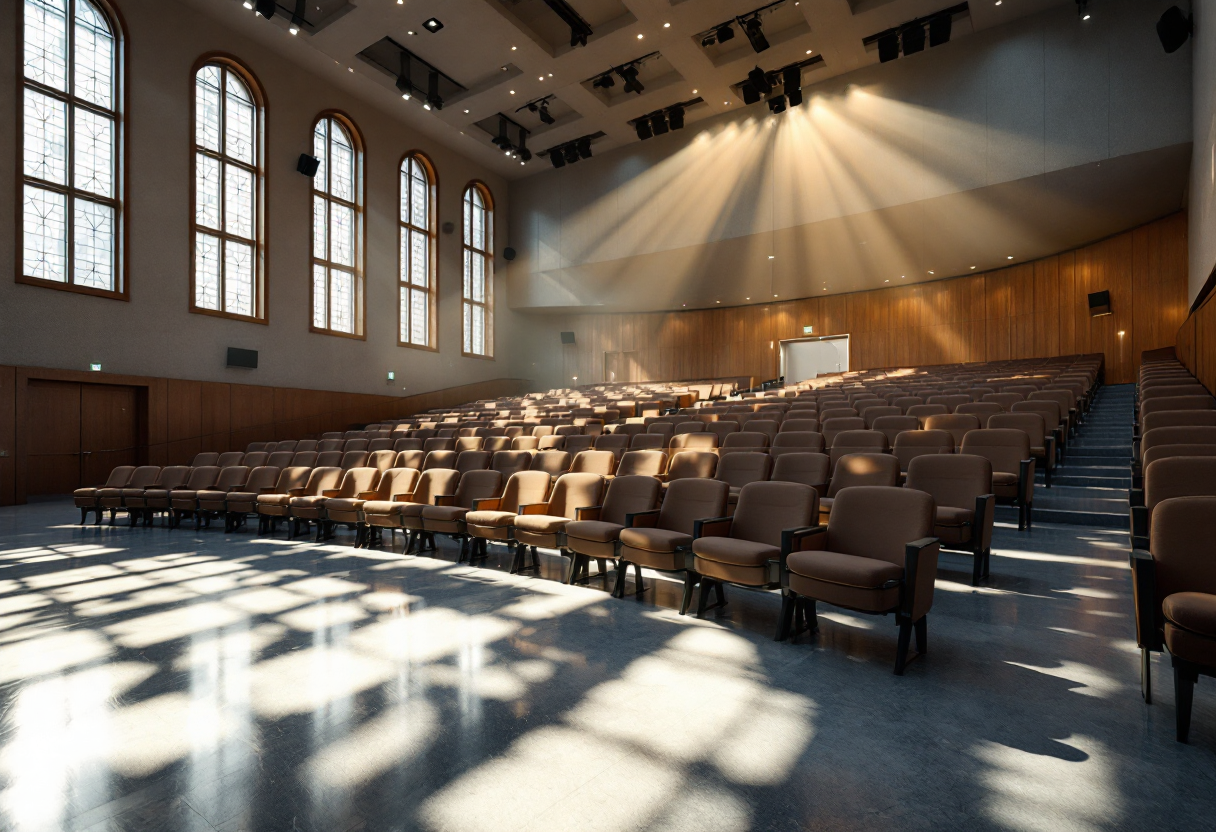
(416,245)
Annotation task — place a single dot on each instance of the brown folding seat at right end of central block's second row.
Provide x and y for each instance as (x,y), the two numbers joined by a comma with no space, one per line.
(961,487)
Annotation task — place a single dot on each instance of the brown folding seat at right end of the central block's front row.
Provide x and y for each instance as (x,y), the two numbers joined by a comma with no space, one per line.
(869,567)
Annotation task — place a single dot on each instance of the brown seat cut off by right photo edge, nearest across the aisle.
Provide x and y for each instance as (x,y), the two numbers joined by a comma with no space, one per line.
(1175,593)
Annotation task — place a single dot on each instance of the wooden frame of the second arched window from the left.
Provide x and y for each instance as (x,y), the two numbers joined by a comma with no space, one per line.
(262,311)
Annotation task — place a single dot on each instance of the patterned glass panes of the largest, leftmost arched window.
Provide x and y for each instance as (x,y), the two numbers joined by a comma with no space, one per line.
(71,215)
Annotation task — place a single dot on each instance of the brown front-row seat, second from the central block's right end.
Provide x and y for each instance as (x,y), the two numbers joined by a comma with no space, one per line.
(748,548)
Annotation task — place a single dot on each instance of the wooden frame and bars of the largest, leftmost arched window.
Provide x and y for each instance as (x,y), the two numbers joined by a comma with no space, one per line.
(119,203)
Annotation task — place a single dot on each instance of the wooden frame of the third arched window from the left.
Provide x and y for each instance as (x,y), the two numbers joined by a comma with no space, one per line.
(361,302)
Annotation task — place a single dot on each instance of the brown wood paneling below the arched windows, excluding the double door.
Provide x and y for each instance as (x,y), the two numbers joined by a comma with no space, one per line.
(188,417)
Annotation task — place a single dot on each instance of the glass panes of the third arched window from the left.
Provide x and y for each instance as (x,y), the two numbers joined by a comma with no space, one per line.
(337,228)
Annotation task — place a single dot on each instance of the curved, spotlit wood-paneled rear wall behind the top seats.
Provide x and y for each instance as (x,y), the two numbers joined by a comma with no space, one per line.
(1031,311)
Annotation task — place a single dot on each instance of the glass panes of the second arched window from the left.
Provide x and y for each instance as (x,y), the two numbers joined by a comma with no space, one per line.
(228,276)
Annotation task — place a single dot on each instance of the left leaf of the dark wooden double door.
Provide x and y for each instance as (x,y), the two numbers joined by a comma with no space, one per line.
(53,419)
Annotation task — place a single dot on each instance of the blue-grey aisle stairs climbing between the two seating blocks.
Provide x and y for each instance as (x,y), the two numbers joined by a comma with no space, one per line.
(1091,487)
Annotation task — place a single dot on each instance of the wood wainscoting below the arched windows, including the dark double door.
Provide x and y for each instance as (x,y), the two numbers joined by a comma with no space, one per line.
(174,419)
